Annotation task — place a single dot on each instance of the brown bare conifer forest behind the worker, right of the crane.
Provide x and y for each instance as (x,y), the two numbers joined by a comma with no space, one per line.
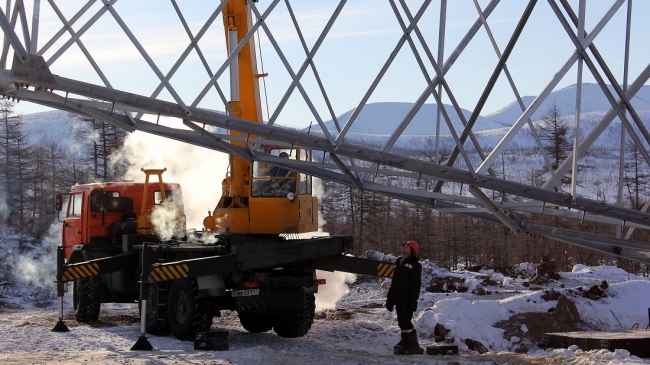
(452,240)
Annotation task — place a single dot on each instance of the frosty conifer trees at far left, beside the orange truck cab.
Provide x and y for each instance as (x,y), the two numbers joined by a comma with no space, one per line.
(32,173)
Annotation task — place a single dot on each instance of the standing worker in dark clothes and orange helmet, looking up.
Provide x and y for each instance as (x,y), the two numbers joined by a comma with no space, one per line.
(403,295)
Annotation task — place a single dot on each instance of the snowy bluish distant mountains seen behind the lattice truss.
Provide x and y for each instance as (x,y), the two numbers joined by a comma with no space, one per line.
(377,121)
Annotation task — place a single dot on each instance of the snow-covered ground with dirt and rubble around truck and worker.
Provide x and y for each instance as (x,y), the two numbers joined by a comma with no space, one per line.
(355,329)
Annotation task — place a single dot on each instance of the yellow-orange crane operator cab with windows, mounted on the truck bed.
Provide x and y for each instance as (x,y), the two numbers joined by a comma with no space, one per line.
(279,199)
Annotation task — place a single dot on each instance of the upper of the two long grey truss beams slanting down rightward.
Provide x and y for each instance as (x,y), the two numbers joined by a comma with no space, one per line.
(353,151)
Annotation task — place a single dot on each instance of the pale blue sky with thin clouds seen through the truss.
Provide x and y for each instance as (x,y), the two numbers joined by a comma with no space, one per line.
(356,48)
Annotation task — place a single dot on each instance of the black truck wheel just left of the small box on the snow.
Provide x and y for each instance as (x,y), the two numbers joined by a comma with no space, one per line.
(186,312)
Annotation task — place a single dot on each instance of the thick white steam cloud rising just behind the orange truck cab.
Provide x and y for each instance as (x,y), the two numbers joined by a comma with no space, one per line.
(198,170)
